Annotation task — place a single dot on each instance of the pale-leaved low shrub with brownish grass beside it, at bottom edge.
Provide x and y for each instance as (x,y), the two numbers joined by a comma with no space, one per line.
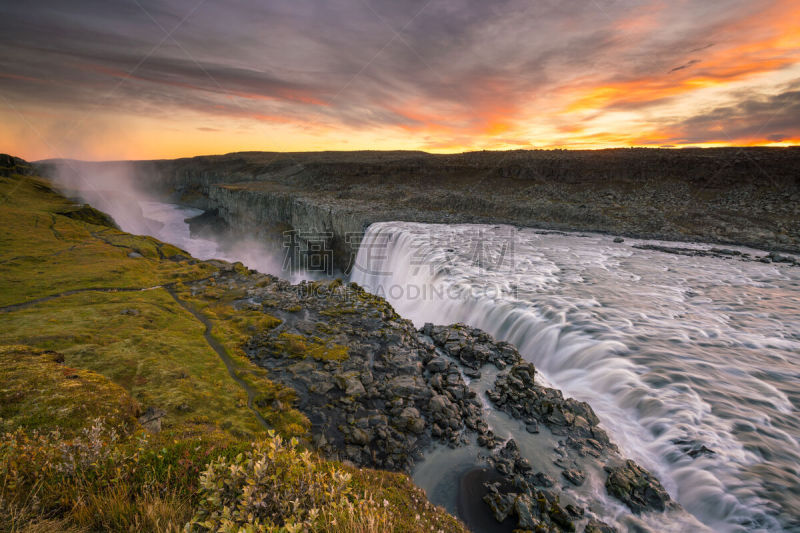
(276,486)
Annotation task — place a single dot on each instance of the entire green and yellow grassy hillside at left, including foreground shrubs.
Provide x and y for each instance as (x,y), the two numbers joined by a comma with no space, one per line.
(98,329)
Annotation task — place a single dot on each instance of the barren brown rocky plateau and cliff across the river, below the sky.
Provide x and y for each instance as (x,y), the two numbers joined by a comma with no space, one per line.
(748,196)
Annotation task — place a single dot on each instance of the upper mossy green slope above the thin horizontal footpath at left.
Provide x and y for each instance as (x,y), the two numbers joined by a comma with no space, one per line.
(43,252)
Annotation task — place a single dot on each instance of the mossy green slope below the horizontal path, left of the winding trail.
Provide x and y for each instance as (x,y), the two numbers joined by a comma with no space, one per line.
(143,341)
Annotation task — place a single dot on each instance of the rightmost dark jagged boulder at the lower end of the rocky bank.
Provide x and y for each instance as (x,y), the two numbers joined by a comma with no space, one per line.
(637,488)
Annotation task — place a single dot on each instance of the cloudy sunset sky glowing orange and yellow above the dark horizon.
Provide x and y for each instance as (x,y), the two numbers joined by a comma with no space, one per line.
(144,79)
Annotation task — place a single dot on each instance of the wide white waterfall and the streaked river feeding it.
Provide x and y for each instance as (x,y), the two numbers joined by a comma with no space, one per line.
(672,352)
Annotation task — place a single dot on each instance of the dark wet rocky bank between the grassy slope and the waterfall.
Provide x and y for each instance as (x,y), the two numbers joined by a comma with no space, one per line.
(380,393)
